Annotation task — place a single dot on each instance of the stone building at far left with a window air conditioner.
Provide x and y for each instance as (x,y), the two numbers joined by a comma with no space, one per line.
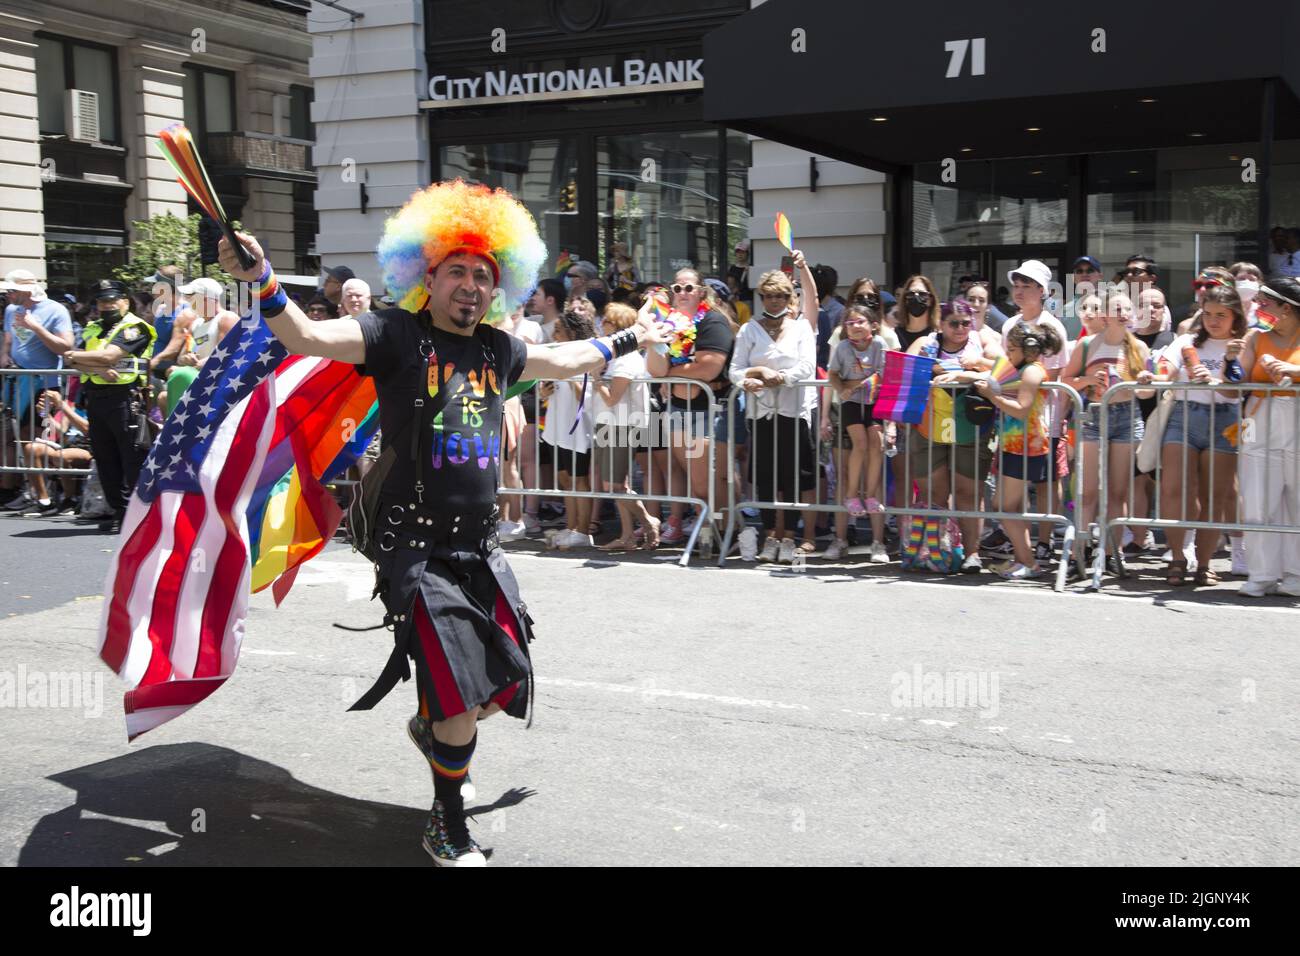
(85,89)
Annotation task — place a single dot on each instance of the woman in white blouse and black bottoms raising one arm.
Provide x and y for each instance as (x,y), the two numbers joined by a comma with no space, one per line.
(774,351)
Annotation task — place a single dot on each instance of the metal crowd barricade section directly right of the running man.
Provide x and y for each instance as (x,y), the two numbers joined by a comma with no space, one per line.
(657,435)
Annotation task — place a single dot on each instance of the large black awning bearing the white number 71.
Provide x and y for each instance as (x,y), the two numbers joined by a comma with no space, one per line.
(903,84)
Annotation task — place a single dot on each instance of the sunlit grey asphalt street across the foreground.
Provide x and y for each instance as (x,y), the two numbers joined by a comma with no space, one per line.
(684,716)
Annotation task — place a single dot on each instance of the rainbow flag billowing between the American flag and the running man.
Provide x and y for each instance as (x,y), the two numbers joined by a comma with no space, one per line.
(322,429)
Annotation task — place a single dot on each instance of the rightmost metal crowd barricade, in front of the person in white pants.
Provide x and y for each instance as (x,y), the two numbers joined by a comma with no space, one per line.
(1256,425)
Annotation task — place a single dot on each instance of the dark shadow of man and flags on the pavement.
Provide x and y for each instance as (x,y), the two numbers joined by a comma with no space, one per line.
(148,806)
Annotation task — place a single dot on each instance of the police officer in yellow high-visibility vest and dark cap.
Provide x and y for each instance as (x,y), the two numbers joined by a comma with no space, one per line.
(115,367)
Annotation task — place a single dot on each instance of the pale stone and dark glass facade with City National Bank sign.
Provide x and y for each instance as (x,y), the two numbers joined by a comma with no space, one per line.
(591,113)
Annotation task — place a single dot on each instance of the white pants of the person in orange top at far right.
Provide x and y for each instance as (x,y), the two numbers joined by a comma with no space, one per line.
(1269,475)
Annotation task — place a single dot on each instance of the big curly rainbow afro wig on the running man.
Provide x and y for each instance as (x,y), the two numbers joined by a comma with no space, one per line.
(461,218)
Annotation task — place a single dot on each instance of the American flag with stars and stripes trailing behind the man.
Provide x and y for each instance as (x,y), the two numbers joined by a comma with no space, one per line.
(177,591)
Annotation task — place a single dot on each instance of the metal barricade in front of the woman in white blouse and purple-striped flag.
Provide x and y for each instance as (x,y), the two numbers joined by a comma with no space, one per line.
(1052,511)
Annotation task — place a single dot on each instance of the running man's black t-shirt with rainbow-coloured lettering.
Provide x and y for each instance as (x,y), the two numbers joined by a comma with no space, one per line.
(465,443)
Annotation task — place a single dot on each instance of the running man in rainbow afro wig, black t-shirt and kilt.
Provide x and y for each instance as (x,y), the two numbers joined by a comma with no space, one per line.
(453,254)
